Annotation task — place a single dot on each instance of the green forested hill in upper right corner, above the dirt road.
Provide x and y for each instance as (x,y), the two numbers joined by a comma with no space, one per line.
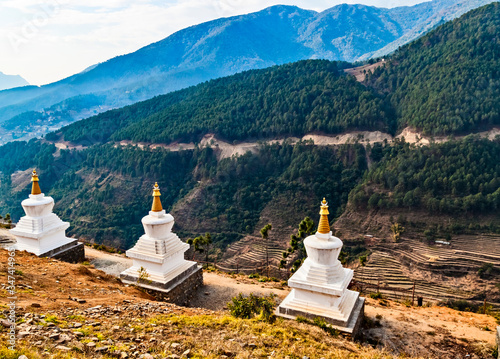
(448,81)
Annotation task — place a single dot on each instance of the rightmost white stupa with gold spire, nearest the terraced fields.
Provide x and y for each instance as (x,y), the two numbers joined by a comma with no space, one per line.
(319,287)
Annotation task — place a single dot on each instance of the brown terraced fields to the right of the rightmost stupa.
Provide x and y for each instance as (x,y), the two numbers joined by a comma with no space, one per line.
(394,267)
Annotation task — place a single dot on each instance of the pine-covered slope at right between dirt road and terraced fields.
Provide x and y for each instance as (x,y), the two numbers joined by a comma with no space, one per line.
(455,178)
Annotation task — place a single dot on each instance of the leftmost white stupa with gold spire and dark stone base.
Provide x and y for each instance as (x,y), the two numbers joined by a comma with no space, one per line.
(42,232)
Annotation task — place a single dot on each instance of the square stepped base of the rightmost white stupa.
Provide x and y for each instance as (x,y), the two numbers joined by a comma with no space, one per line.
(349,328)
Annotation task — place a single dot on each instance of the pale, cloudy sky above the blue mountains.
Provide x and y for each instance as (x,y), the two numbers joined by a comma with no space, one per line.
(48,40)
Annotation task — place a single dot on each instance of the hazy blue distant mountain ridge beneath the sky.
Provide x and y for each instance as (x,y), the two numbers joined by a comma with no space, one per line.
(222,47)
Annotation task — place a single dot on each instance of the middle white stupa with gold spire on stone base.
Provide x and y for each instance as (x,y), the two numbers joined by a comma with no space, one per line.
(158,256)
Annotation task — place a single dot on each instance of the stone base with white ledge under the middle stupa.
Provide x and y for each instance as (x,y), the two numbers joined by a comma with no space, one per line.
(178,290)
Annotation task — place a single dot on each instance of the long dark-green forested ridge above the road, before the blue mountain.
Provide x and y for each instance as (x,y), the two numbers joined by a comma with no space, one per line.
(294,99)
